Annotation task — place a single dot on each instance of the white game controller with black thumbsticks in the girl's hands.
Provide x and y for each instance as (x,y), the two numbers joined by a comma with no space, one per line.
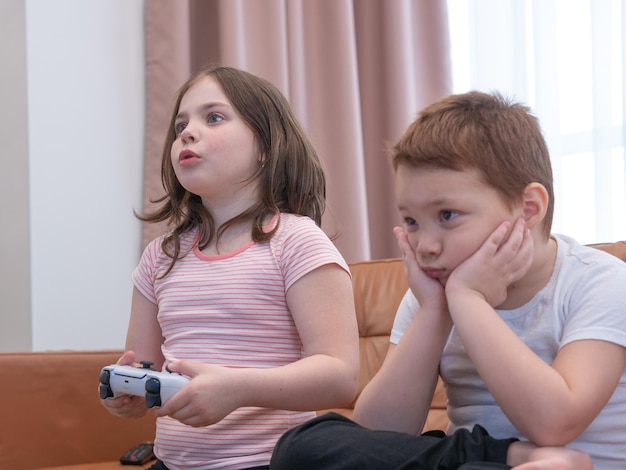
(157,387)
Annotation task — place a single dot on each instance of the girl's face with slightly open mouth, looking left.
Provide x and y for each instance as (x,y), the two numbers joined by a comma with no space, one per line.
(215,152)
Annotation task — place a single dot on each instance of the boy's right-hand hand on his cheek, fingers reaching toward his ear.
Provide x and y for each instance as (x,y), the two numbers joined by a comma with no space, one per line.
(504,258)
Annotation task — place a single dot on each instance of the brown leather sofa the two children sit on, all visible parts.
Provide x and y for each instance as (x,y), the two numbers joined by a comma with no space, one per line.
(52,417)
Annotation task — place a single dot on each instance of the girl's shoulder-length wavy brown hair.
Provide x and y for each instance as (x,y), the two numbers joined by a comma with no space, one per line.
(291,177)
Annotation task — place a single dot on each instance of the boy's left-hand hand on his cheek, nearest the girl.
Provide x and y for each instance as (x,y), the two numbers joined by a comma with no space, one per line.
(426,290)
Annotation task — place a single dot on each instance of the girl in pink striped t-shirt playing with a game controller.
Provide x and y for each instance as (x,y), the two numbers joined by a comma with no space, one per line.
(245,295)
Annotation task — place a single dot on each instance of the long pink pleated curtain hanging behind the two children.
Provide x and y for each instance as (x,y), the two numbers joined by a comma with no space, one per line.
(355,71)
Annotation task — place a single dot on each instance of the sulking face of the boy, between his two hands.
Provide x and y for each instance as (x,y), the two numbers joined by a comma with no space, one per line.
(448,215)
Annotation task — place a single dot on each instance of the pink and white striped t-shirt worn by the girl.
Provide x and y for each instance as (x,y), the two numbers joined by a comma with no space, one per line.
(232,310)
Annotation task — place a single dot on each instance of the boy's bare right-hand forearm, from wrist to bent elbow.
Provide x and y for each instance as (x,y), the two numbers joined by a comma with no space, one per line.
(515,375)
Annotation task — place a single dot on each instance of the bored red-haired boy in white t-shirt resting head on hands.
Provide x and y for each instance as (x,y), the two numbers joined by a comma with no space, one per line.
(527,329)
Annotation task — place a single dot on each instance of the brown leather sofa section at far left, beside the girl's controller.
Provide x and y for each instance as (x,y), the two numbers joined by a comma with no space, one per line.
(51,412)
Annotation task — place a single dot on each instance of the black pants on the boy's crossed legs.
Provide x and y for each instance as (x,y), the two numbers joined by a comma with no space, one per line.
(333,442)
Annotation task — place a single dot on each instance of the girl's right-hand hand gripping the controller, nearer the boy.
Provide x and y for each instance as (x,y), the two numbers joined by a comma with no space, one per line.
(212,394)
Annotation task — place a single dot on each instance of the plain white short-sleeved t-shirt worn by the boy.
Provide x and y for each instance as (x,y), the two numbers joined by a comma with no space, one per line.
(584,299)
